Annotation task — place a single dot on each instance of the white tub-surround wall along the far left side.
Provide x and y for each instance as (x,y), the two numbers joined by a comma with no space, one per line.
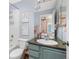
(14,28)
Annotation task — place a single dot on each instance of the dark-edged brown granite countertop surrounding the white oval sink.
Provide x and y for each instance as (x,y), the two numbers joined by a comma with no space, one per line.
(61,45)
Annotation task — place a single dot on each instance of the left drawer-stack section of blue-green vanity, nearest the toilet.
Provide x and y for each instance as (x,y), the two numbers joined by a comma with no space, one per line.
(34,51)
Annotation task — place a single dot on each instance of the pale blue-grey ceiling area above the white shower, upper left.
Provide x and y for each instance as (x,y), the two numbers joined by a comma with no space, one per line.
(25,4)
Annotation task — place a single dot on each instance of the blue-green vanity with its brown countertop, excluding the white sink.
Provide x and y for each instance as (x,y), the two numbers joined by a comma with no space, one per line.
(40,51)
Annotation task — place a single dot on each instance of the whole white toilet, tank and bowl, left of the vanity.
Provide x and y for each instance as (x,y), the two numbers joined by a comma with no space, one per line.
(17,52)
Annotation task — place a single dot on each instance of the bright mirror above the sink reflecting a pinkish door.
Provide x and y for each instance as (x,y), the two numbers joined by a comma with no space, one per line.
(47,25)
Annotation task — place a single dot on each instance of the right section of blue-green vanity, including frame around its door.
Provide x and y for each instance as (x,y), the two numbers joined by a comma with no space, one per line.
(50,53)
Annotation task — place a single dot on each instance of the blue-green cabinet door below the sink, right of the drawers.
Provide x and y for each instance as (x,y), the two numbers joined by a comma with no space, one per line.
(49,54)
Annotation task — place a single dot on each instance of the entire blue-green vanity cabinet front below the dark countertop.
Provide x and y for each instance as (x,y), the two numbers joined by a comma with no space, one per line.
(41,52)
